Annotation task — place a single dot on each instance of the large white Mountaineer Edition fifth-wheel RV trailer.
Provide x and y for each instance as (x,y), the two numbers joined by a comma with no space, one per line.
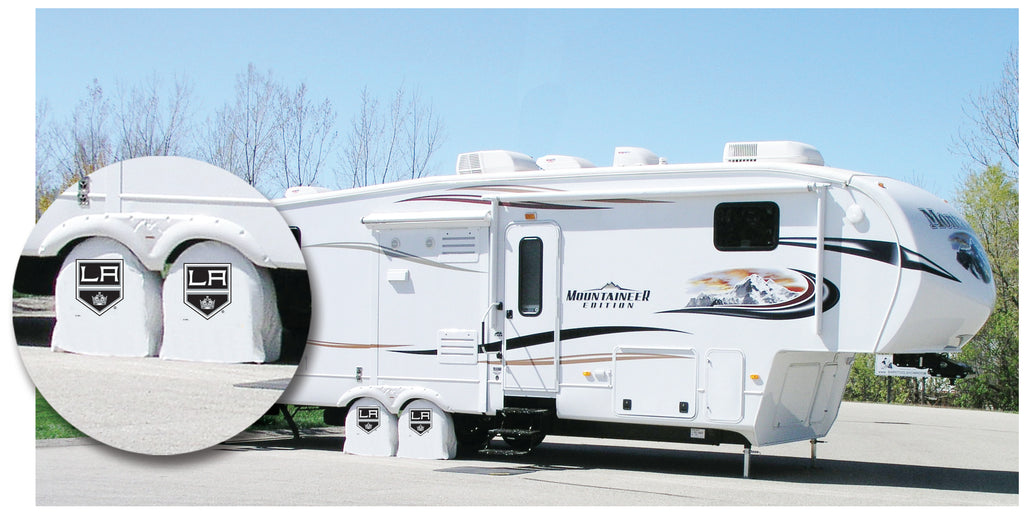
(714,304)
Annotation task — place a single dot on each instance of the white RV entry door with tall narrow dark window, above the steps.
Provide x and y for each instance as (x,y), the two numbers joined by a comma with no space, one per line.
(533,312)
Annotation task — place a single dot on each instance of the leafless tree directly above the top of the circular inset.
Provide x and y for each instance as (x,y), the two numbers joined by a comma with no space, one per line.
(150,126)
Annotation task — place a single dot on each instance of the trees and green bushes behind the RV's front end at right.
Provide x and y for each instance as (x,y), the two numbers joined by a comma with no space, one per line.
(989,198)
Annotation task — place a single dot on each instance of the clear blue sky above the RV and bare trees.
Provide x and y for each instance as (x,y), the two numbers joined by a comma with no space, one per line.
(875,91)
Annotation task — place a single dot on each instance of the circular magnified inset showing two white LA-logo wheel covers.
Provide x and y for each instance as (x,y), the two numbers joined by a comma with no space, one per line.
(162,306)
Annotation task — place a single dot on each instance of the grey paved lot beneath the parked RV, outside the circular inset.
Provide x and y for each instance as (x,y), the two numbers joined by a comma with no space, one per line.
(875,456)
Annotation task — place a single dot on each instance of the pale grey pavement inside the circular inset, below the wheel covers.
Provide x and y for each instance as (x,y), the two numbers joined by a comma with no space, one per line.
(151,406)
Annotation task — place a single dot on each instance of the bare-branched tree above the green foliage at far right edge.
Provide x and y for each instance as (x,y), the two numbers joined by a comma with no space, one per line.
(994,135)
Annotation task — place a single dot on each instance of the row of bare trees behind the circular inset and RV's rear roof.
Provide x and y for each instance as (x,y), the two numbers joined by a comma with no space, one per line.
(271,136)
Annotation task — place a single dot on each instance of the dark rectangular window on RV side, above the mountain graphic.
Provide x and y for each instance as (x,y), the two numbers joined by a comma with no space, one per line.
(747,227)
